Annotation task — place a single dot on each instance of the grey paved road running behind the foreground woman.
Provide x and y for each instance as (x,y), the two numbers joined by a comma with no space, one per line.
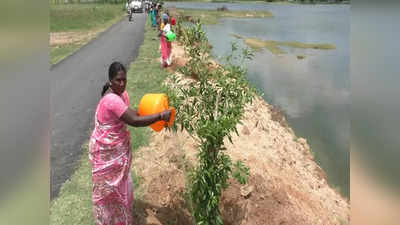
(75,91)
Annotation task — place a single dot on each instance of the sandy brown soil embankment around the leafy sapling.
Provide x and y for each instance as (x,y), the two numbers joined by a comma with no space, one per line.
(286,184)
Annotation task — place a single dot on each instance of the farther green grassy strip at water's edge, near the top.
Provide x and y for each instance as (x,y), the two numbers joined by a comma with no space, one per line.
(213,16)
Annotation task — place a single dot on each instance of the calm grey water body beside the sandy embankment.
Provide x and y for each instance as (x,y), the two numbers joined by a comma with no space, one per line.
(314,92)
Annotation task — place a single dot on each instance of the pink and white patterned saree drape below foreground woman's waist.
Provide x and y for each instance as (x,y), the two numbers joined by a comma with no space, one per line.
(111,159)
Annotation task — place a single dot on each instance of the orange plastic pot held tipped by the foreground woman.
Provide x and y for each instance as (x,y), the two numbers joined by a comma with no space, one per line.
(156,103)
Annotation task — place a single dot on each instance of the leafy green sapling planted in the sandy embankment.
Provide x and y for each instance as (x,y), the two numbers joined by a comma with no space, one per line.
(209,111)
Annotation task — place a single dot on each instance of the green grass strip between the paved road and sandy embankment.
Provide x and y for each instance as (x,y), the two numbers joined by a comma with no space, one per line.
(74,204)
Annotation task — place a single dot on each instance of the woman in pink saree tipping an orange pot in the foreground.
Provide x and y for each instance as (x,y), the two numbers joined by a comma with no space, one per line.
(110,150)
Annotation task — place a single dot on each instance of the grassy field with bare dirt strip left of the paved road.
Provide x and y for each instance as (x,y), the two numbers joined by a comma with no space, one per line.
(74,25)
